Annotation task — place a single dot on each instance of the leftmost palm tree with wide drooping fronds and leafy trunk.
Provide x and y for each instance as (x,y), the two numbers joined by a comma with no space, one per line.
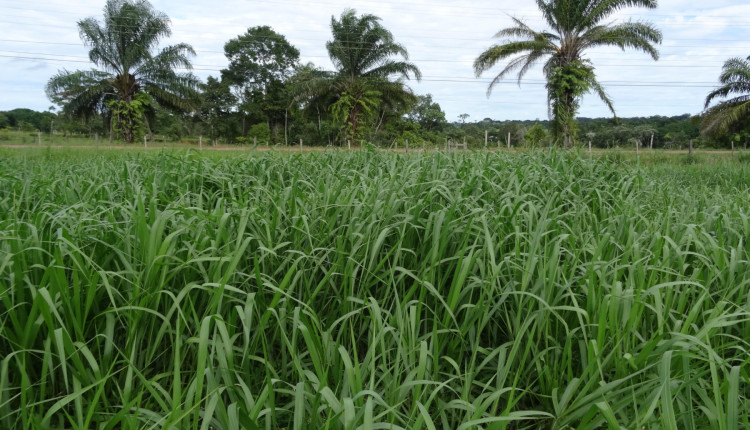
(131,75)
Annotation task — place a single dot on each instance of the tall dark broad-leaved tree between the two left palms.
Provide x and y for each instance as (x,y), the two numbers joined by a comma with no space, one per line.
(259,62)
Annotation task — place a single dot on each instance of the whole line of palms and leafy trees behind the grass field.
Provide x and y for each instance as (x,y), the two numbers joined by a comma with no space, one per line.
(266,94)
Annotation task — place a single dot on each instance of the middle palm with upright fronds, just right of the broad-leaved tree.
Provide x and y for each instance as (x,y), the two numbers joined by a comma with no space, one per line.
(362,52)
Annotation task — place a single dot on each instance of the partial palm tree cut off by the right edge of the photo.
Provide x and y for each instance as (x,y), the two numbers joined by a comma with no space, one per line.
(735,80)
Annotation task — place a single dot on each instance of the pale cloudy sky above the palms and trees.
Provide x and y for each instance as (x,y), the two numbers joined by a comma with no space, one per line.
(38,38)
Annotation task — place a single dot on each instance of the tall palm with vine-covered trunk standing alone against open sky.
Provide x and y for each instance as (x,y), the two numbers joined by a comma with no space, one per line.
(577,25)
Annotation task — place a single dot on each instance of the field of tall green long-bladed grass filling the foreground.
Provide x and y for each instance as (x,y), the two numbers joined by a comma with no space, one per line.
(372,290)
